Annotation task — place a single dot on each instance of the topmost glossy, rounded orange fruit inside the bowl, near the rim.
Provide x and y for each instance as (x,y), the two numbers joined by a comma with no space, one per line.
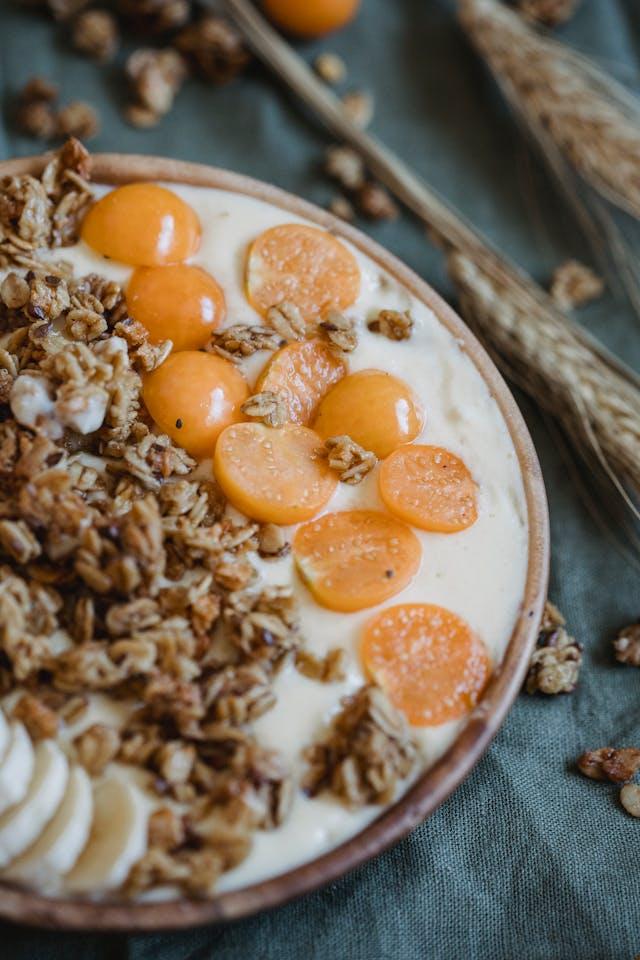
(142,224)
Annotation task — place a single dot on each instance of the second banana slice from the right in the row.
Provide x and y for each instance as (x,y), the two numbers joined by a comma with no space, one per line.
(60,844)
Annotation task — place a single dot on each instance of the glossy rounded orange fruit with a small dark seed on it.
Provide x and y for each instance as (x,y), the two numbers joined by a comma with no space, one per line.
(193,396)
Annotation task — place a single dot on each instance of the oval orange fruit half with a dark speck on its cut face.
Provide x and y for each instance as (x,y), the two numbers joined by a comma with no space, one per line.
(356,558)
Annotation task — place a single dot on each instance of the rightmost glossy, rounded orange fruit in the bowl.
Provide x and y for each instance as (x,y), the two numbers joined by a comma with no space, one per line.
(376,409)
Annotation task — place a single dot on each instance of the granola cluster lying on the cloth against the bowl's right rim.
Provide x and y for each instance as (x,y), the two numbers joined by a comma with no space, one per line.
(555,664)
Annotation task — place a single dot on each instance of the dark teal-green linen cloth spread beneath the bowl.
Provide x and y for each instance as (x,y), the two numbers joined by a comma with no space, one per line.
(527,859)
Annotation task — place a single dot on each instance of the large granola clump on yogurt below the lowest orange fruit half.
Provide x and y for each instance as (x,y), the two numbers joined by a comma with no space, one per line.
(365,753)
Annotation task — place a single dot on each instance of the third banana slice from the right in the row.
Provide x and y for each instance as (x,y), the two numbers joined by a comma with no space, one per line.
(23,823)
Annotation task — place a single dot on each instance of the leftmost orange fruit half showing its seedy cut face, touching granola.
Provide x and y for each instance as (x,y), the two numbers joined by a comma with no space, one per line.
(273,475)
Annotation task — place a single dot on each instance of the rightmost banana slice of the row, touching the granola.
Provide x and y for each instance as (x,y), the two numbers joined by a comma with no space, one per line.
(118,838)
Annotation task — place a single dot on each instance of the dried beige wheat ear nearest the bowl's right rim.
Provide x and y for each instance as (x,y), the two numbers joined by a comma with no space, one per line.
(562,373)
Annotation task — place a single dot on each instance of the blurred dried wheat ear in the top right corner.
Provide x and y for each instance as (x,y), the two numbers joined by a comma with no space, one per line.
(561,95)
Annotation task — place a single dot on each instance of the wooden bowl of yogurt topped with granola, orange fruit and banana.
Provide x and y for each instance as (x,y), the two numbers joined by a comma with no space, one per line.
(277,534)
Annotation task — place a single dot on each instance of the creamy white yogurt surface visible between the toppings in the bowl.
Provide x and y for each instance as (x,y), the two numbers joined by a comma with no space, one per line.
(478,573)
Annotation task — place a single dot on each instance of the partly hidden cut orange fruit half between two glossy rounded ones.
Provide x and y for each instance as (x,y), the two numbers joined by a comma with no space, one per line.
(302,373)
